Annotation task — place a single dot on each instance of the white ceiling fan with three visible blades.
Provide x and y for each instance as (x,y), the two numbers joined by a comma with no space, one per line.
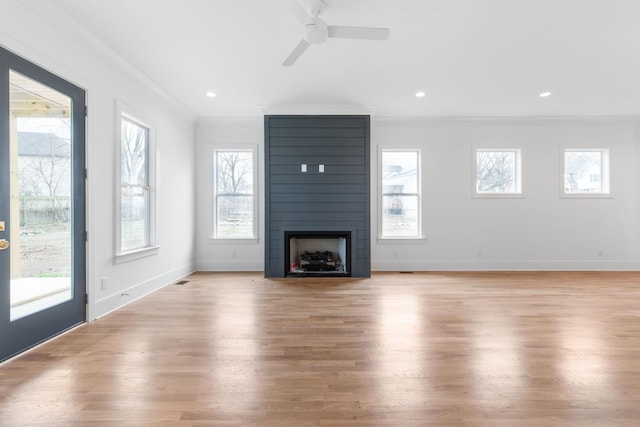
(317,31)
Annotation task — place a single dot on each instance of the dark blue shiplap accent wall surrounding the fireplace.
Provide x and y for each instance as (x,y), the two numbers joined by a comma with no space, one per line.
(339,198)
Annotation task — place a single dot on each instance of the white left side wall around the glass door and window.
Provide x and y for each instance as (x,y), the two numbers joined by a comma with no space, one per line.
(44,35)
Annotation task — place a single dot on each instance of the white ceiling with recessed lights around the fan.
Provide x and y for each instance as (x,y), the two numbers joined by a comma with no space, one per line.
(471,57)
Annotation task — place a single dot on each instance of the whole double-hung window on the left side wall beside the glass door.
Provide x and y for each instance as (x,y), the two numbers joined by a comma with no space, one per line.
(136,175)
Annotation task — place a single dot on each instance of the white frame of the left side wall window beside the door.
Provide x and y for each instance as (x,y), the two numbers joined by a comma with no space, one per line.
(123,112)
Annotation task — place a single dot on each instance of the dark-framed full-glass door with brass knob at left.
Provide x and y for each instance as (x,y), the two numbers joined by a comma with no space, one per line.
(42,205)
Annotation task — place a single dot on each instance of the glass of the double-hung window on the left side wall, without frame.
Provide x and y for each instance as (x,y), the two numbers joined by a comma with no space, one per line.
(134,201)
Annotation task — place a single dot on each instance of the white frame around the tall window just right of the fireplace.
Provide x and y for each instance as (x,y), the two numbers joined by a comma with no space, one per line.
(380,196)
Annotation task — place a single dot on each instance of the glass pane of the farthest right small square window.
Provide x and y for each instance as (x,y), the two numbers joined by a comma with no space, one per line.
(583,172)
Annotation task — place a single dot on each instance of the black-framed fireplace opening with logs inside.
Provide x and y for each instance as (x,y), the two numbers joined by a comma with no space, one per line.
(318,253)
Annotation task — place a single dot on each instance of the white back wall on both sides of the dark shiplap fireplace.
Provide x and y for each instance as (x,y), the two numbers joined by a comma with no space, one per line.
(540,231)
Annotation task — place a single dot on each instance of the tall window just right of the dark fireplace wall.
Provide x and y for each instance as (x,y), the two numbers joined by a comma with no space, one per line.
(400,188)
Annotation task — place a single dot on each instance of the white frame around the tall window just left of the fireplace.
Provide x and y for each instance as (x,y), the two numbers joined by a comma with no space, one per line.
(253,149)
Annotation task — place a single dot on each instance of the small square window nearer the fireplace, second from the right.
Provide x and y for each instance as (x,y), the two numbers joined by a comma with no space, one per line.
(498,172)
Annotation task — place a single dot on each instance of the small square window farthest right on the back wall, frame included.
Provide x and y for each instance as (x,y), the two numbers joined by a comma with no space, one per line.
(586,171)
